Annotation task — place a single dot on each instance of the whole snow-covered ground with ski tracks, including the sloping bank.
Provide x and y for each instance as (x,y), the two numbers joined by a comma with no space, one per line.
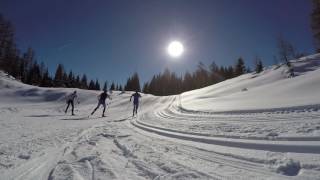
(256,126)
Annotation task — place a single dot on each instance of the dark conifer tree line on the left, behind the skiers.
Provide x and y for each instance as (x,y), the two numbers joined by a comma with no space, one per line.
(24,66)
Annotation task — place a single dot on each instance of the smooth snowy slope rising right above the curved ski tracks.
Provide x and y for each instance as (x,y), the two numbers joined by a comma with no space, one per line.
(268,89)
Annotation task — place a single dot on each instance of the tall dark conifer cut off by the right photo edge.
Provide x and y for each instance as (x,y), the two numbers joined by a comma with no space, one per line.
(315,23)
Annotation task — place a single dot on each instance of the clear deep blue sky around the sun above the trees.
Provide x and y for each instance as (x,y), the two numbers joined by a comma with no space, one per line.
(110,40)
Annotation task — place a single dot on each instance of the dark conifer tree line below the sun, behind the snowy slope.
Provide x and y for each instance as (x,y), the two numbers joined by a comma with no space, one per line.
(168,83)
